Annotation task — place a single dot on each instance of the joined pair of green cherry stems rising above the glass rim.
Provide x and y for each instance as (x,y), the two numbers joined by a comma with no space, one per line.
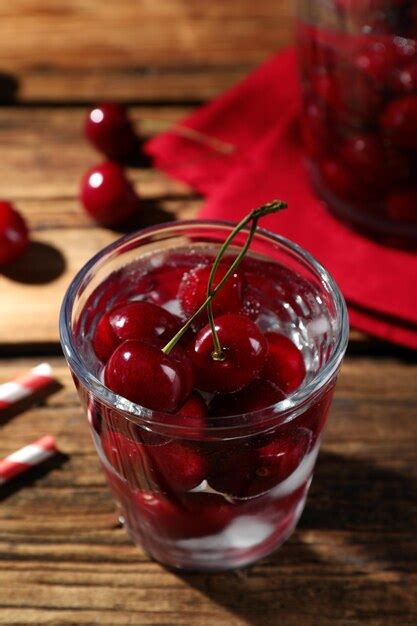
(253,216)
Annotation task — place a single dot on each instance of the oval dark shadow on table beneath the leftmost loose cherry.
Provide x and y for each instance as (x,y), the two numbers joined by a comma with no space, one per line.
(41,263)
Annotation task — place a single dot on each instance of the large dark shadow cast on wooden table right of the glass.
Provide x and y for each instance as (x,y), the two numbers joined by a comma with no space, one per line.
(346,495)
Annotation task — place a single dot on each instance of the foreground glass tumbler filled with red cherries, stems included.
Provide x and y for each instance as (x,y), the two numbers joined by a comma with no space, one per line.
(205,355)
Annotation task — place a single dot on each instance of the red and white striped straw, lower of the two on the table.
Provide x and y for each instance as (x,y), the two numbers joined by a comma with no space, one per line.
(27,457)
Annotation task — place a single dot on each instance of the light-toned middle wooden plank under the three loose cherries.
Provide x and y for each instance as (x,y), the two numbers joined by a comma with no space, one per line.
(44,158)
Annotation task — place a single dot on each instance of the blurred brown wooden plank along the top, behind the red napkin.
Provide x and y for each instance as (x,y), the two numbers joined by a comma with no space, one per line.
(136,49)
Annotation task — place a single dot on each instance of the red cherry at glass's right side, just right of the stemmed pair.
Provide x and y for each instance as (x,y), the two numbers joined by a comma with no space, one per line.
(285,366)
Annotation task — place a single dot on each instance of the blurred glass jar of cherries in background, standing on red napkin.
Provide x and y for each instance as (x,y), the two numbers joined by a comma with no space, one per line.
(358,65)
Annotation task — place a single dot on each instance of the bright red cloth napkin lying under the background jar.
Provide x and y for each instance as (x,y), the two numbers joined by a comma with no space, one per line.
(244,149)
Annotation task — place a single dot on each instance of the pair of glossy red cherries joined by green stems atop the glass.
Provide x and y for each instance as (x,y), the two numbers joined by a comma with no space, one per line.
(228,353)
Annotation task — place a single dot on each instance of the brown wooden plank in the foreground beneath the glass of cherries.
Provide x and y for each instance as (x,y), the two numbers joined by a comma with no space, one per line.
(64,559)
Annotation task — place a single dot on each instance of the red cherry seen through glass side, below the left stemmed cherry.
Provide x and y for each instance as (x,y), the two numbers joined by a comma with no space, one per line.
(181,466)
